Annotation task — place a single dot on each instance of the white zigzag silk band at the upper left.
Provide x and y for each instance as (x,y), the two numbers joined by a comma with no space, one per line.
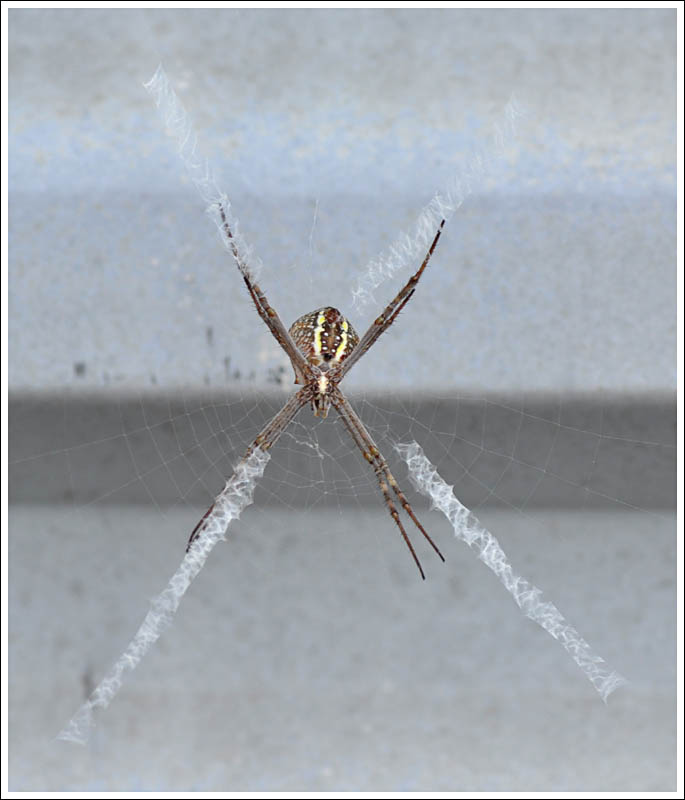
(180,128)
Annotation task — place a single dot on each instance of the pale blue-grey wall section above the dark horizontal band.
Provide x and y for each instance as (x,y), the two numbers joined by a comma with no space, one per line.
(330,130)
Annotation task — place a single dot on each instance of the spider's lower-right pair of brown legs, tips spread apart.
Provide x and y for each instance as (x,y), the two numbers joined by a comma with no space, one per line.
(371,453)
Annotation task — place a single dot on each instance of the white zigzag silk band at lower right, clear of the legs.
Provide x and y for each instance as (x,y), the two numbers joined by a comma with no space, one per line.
(528,597)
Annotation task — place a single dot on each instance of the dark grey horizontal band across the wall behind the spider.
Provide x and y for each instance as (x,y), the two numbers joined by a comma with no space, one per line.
(178,448)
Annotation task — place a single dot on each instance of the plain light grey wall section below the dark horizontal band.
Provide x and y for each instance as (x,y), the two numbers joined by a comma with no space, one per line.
(309,655)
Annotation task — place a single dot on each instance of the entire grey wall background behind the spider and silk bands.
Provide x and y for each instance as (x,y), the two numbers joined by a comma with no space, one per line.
(536,365)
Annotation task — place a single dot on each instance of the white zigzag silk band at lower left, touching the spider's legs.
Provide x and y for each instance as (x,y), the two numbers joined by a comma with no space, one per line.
(236,495)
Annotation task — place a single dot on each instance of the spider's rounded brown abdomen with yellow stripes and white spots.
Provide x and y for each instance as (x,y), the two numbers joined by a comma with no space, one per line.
(325,337)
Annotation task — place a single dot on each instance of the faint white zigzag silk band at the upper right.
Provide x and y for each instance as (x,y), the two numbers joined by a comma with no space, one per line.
(409,248)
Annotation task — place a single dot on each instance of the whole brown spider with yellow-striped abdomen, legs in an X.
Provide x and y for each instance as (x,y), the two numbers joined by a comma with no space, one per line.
(322,347)
